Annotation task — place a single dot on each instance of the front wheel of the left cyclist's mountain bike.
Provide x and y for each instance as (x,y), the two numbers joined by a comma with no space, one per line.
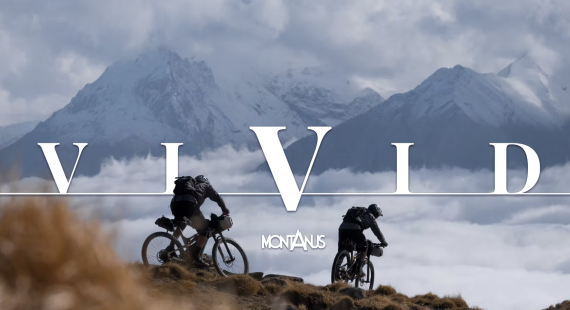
(231,259)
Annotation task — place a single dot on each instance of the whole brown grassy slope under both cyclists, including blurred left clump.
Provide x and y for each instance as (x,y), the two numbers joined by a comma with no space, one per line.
(51,260)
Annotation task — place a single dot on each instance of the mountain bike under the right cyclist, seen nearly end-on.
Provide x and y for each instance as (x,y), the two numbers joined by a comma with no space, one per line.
(345,267)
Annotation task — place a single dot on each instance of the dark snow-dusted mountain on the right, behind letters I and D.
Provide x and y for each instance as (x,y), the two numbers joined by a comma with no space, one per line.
(452,117)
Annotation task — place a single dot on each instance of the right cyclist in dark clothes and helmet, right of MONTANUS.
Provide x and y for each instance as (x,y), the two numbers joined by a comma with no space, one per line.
(356,220)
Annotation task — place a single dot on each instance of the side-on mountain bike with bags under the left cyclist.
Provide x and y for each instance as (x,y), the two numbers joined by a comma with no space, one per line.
(161,247)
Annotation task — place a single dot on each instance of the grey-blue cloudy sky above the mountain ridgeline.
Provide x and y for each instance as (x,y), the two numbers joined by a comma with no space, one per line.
(51,49)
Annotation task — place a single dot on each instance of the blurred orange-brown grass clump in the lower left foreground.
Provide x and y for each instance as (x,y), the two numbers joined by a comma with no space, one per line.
(51,260)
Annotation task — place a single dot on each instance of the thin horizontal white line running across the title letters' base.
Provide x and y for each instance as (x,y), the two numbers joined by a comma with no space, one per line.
(278,194)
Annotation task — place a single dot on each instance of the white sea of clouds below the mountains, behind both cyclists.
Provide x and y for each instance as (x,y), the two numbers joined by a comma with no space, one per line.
(500,252)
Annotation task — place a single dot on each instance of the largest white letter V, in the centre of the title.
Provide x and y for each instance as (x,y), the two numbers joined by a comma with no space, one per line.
(279,166)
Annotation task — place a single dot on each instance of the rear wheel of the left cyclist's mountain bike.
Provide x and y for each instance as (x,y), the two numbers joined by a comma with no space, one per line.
(155,252)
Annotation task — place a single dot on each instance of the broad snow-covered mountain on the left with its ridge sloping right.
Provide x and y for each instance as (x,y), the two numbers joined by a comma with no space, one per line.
(134,106)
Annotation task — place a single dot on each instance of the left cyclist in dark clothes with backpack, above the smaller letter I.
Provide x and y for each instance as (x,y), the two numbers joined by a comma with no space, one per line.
(188,205)
